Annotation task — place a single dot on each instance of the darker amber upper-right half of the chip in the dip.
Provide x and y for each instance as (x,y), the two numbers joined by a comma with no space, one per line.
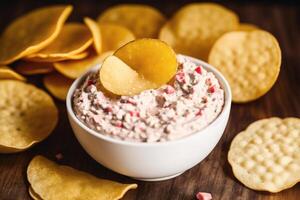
(153,59)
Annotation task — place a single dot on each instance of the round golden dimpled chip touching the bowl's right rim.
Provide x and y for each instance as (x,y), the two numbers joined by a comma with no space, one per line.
(250,61)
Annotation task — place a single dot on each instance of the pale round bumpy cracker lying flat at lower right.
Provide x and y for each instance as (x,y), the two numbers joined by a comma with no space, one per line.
(266,156)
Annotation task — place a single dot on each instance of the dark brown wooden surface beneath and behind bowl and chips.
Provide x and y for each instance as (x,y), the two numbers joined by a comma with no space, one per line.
(214,173)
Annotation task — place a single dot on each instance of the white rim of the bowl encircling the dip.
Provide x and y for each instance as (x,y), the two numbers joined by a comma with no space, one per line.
(227,105)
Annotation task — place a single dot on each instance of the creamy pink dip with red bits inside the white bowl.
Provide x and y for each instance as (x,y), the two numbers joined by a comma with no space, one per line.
(186,106)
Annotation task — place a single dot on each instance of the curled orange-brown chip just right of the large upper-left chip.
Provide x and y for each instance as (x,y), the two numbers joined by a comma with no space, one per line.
(73,39)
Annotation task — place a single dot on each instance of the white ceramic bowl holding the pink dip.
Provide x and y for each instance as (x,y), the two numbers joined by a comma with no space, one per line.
(151,161)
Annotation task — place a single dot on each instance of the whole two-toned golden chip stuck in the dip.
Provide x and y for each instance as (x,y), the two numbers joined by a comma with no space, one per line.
(137,66)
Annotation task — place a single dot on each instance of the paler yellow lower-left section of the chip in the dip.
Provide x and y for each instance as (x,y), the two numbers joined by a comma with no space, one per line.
(118,78)
